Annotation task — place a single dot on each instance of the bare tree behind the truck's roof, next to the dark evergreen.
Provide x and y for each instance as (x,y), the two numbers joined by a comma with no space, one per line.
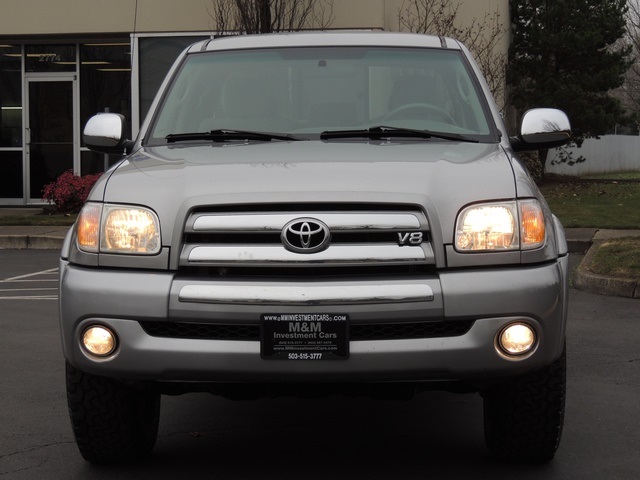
(481,36)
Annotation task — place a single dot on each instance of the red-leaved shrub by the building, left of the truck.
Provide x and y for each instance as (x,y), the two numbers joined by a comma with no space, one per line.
(69,192)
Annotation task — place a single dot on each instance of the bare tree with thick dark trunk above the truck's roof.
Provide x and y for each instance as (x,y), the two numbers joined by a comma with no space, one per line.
(264,16)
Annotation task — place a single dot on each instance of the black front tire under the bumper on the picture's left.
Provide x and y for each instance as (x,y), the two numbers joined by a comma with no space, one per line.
(112,422)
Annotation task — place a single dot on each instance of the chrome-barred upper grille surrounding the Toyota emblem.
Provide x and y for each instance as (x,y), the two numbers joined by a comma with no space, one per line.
(359,238)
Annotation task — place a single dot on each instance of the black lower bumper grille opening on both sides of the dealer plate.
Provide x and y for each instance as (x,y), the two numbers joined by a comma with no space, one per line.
(357,332)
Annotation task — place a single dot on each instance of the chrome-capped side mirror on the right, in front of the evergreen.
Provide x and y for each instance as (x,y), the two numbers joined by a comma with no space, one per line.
(542,128)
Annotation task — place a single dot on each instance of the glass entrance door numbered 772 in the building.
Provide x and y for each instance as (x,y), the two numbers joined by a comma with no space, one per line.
(50,133)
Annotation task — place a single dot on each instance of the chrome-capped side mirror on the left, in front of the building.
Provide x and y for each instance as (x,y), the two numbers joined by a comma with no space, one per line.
(106,133)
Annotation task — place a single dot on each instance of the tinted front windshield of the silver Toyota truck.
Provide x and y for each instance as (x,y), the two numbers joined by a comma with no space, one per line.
(305,91)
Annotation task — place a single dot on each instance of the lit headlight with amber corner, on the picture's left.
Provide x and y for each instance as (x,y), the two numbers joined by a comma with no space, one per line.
(118,229)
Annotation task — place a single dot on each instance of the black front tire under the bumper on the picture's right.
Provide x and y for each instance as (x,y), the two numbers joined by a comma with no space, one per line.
(523,417)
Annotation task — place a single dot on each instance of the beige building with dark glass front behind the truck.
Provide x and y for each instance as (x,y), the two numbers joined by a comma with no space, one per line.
(61,62)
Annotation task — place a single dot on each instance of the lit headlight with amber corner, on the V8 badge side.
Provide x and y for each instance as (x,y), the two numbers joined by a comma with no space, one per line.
(500,226)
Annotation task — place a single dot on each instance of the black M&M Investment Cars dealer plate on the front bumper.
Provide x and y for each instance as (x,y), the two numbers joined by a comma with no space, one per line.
(298,336)
